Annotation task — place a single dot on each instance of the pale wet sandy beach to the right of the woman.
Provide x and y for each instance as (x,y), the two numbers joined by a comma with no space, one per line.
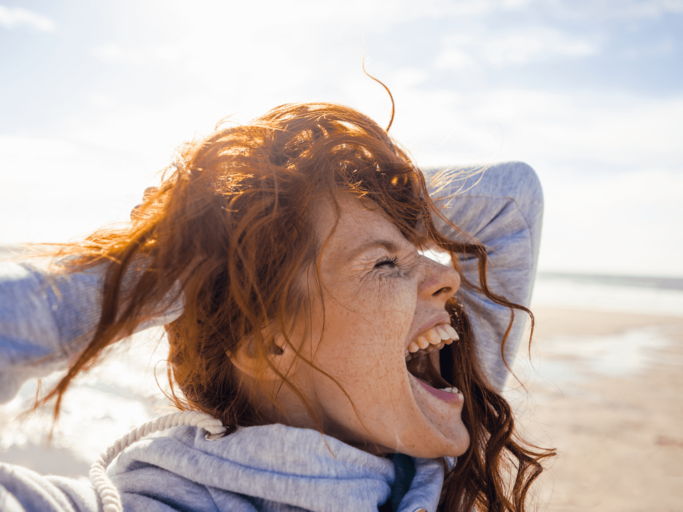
(618,434)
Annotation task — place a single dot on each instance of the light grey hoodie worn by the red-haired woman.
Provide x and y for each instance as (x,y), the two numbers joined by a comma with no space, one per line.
(273,467)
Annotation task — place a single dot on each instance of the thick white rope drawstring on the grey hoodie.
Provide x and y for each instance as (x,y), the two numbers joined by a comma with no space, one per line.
(106,491)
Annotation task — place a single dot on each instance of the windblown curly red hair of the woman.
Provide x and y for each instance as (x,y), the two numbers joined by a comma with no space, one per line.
(231,222)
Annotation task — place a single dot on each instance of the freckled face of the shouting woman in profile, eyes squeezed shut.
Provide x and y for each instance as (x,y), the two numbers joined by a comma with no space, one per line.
(378,295)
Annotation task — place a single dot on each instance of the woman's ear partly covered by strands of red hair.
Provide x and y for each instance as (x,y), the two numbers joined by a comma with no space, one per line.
(280,354)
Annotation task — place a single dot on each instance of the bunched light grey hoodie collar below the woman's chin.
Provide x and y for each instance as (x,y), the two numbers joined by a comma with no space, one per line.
(293,466)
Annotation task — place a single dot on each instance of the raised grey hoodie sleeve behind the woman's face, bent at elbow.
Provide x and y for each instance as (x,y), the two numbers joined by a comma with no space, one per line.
(502,208)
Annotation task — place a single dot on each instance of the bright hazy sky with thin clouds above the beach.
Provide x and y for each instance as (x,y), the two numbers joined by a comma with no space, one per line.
(95,96)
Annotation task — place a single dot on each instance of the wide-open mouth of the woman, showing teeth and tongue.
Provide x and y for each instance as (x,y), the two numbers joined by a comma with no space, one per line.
(420,362)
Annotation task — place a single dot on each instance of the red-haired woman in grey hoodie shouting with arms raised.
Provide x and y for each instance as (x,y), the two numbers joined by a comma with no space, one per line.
(285,259)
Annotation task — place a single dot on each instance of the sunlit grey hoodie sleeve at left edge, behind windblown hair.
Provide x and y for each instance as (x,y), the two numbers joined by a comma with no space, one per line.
(48,318)
